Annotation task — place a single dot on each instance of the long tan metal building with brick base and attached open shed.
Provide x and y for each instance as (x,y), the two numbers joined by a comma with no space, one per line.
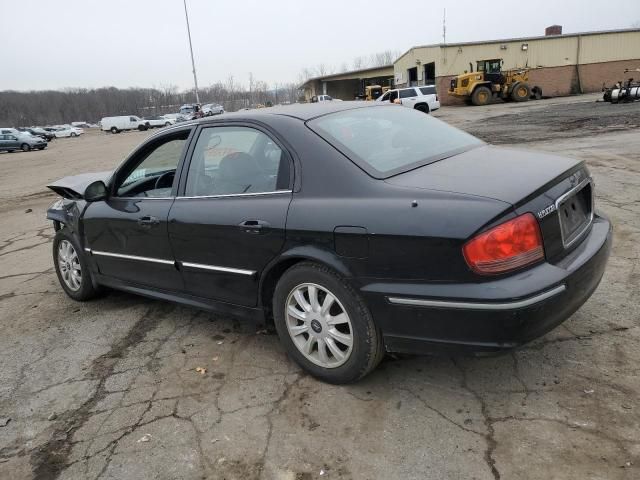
(561,64)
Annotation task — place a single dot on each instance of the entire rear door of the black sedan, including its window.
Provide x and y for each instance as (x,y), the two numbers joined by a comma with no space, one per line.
(231,220)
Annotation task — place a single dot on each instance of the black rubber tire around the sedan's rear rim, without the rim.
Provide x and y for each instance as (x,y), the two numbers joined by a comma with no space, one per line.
(367,349)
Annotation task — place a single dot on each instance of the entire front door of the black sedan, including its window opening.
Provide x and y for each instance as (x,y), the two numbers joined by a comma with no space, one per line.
(127,234)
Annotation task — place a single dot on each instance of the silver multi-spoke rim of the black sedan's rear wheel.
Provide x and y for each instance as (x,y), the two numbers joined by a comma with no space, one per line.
(319,325)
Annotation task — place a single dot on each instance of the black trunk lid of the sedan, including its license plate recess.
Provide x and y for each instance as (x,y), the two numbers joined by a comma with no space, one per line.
(557,190)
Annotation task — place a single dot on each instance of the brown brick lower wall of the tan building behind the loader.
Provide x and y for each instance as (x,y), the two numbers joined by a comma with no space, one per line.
(561,81)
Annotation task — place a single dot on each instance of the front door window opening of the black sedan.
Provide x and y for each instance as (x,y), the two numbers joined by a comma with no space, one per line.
(153,174)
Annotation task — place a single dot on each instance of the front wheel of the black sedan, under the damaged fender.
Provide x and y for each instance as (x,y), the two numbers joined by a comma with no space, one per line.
(71,267)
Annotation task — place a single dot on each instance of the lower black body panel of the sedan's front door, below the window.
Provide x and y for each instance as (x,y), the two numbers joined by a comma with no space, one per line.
(128,244)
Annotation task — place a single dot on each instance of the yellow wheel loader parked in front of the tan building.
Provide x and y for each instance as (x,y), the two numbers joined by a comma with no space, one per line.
(489,81)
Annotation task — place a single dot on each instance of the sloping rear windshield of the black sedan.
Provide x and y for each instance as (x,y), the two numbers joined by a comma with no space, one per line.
(388,140)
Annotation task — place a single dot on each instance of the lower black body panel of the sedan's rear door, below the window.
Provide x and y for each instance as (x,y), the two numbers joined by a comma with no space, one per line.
(223,244)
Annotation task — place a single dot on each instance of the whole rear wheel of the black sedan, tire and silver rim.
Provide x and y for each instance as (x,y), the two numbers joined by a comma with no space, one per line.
(325,325)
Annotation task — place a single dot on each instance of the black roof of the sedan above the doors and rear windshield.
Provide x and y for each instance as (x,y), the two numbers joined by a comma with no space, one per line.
(301,111)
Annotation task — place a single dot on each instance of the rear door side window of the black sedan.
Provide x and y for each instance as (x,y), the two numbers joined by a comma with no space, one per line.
(236,160)
